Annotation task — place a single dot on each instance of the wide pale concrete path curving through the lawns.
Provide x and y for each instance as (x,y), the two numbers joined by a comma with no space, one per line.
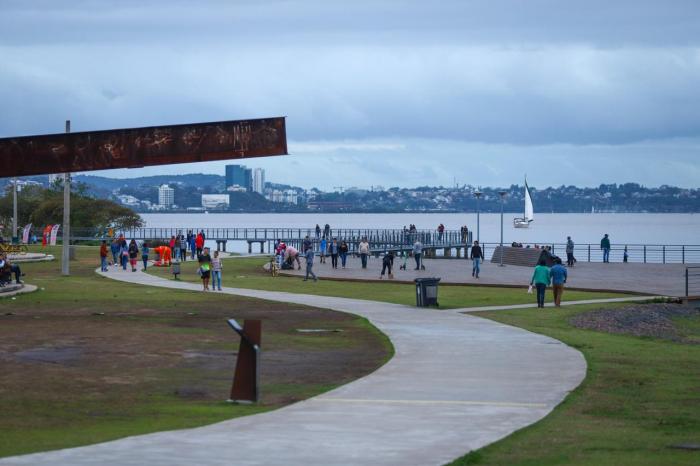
(456,383)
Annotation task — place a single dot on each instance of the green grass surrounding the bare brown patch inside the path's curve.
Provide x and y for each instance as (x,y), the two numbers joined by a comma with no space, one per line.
(54,410)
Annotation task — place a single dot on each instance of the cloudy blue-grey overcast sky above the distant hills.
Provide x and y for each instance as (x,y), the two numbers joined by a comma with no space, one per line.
(377,92)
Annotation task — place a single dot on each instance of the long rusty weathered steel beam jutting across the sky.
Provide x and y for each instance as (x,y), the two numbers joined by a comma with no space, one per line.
(140,147)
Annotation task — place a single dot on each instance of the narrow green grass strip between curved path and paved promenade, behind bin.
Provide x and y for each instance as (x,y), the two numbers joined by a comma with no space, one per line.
(248,273)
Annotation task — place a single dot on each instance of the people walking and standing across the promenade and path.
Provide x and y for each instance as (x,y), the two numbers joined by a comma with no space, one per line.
(550,269)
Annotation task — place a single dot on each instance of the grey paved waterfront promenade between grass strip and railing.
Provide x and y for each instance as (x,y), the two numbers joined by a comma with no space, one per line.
(656,279)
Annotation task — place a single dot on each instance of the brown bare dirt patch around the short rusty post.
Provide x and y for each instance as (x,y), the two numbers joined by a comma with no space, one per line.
(188,353)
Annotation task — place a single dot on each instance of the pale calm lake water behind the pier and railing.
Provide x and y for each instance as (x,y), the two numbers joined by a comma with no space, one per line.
(547,228)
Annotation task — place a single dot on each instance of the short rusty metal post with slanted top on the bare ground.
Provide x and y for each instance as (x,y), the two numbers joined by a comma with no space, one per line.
(246,380)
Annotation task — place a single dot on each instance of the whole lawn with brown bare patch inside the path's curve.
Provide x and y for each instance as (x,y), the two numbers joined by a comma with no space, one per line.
(137,368)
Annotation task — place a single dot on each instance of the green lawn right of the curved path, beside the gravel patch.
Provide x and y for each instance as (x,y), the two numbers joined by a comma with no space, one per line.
(640,396)
